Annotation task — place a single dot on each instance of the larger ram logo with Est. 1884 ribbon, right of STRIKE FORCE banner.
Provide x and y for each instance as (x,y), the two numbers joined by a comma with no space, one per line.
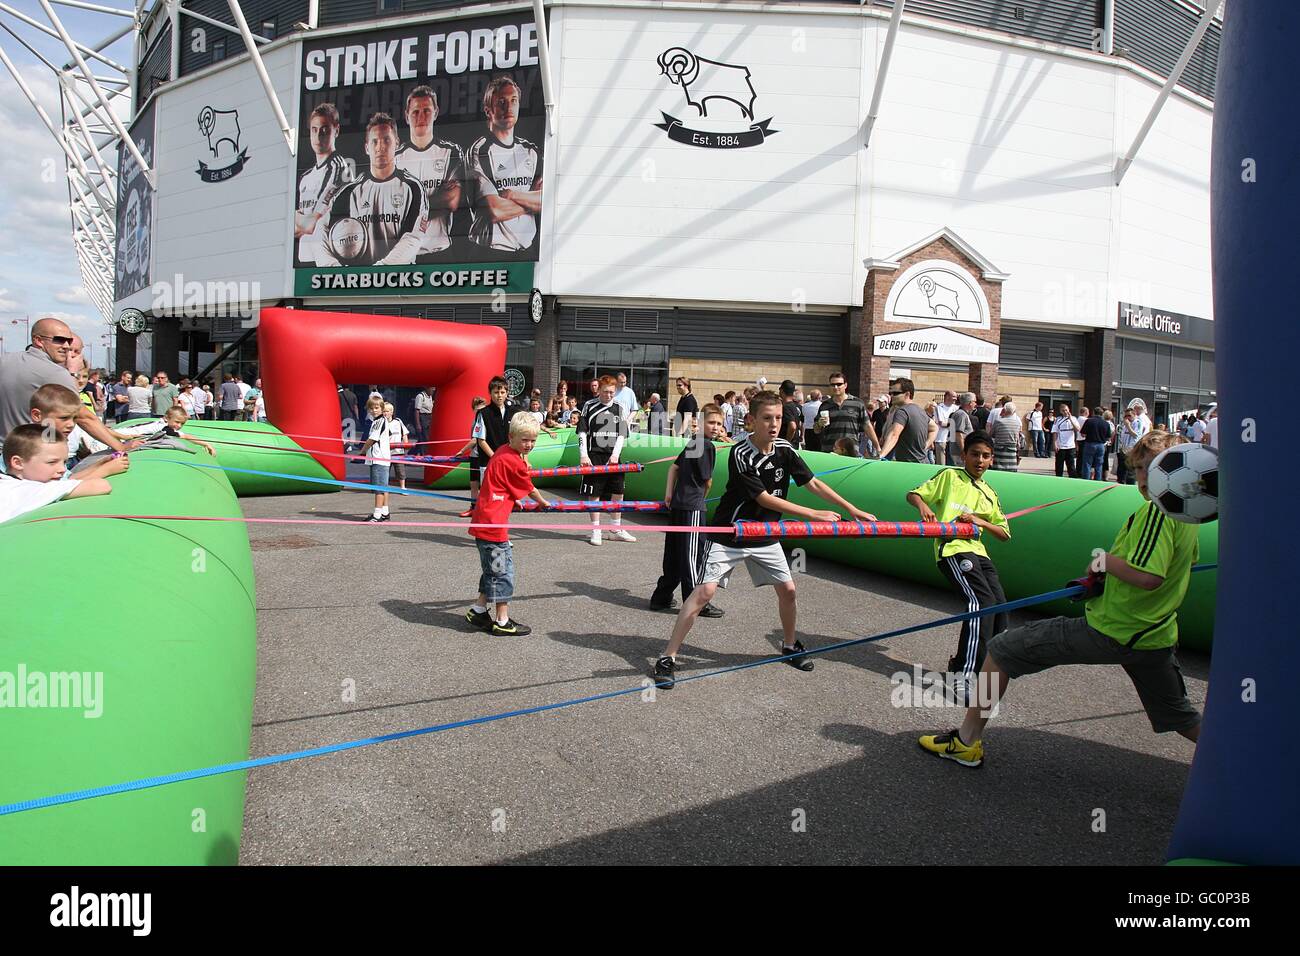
(723,97)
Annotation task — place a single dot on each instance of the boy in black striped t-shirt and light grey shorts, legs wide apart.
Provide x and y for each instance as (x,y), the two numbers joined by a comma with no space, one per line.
(759,479)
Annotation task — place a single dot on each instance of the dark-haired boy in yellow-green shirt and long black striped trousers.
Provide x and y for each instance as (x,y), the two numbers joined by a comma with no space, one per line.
(961,495)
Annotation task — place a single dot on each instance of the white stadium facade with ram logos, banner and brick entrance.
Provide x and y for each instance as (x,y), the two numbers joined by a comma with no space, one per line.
(1004,196)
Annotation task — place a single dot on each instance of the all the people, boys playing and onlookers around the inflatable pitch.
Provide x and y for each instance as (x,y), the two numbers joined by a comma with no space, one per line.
(58,445)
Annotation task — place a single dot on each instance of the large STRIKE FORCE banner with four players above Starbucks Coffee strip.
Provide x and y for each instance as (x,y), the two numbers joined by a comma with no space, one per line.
(421,161)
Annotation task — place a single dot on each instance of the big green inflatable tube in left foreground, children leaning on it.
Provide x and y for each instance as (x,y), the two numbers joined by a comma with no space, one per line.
(168,637)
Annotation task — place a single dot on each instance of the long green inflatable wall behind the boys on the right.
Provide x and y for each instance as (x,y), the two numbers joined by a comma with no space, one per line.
(1047,550)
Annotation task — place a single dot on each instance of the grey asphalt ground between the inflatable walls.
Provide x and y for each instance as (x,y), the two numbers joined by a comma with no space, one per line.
(768,765)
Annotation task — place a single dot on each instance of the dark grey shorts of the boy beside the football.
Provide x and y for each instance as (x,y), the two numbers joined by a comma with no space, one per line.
(1156,676)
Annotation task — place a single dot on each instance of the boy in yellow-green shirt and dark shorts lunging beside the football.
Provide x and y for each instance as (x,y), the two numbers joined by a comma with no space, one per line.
(1132,622)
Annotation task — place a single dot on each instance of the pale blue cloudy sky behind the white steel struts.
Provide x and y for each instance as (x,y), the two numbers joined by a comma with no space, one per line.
(38,262)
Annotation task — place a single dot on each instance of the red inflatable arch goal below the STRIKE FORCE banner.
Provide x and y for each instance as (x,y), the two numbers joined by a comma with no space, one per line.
(305,356)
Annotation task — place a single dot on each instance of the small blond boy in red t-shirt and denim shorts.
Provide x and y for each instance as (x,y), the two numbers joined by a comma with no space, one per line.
(505,482)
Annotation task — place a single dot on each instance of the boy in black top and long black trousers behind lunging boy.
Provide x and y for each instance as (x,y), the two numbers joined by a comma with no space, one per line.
(686,492)
